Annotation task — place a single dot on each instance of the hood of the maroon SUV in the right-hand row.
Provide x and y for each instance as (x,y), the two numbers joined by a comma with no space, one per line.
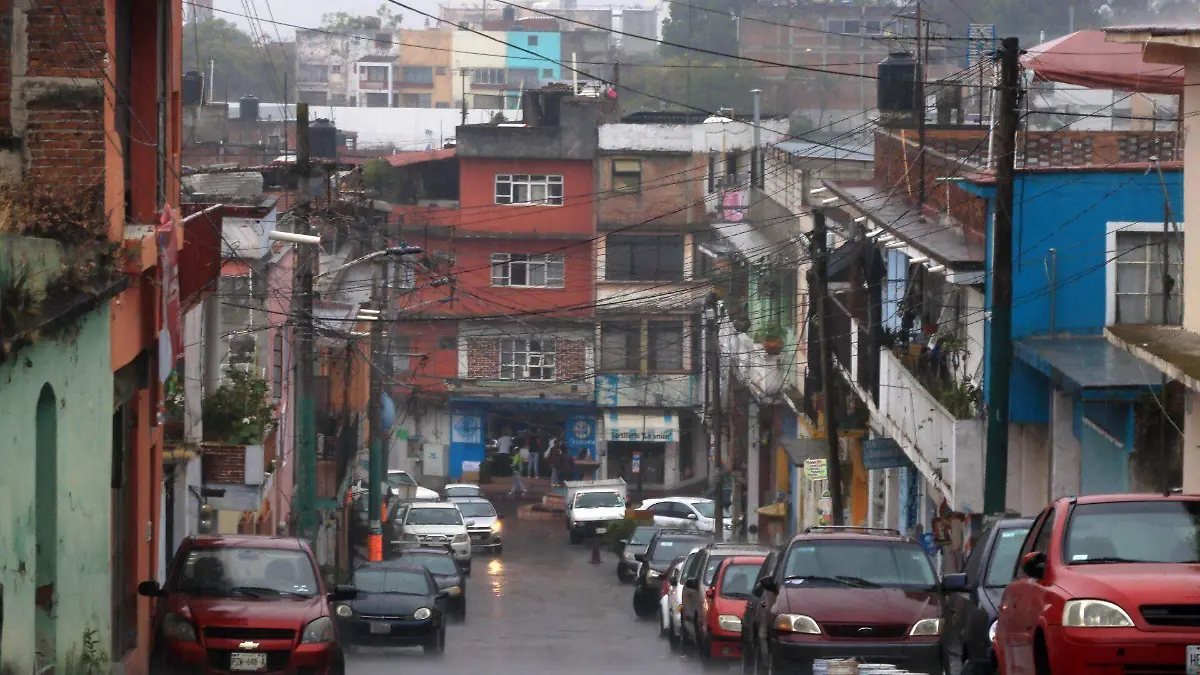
(867,606)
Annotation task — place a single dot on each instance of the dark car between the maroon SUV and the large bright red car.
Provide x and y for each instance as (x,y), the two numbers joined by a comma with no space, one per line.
(971,614)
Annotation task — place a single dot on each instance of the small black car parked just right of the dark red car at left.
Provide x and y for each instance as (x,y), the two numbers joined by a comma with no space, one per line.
(398,606)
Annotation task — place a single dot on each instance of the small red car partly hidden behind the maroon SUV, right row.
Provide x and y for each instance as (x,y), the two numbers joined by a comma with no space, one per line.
(725,605)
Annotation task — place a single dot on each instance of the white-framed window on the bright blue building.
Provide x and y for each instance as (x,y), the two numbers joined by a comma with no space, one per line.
(1139,278)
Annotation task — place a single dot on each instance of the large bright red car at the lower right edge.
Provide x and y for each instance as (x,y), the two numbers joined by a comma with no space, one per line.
(1106,584)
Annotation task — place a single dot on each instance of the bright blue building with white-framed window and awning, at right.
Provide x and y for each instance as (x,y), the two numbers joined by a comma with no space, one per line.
(1087,254)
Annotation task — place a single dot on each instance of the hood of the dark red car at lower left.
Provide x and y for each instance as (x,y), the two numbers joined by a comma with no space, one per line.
(274,613)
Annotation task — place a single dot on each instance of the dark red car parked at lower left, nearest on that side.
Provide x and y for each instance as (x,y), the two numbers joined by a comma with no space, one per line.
(245,605)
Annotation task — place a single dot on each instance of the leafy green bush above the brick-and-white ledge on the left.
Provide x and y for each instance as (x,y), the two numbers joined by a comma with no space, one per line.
(241,411)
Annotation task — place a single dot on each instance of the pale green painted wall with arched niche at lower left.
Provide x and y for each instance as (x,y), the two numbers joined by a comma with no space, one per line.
(81,375)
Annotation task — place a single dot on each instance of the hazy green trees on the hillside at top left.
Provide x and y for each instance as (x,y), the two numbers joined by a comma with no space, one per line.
(241,67)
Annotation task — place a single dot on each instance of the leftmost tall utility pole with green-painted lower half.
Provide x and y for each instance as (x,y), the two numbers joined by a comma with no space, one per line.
(302,304)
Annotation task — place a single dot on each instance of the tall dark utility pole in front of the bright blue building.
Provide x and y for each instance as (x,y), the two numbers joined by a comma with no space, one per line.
(1000,339)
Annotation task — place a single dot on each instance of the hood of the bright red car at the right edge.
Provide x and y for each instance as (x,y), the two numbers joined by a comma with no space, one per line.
(1133,586)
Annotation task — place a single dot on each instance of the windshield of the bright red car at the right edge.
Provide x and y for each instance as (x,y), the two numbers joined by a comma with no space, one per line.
(1145,531)
